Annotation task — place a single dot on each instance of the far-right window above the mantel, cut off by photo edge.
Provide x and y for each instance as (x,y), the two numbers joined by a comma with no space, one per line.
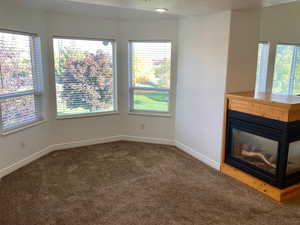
(286,79)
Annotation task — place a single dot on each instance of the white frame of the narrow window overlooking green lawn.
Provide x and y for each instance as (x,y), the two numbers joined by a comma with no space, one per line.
(132,88)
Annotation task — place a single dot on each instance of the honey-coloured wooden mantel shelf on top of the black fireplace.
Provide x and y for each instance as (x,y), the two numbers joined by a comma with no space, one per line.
(277,107)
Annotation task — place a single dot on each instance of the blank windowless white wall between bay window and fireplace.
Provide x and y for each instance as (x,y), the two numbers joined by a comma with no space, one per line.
(202,69)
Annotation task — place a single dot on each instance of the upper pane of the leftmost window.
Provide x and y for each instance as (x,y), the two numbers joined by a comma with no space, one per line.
(15,63)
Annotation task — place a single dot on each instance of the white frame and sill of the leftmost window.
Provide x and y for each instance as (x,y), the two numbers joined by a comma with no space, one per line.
(37,91)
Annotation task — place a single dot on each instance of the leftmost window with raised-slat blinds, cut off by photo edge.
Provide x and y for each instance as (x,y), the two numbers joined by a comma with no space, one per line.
(20,77)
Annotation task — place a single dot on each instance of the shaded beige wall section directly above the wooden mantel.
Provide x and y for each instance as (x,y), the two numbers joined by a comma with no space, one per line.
(242,59)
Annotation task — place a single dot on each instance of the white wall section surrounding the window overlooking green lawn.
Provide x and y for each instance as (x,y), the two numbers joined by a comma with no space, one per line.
(154,127)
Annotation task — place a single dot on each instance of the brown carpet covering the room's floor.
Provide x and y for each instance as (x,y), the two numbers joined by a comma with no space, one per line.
(128,183)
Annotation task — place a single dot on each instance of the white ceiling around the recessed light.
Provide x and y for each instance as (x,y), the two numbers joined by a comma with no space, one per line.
(144,8)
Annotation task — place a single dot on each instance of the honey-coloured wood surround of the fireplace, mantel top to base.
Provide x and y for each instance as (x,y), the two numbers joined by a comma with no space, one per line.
(282,108)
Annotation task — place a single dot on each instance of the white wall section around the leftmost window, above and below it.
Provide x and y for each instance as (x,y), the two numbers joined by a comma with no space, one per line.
(35,138)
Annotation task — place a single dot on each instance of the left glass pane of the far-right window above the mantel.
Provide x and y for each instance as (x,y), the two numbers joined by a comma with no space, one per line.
(282,70)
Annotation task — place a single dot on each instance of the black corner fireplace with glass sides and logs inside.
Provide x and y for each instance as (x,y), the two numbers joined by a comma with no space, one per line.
(264,148)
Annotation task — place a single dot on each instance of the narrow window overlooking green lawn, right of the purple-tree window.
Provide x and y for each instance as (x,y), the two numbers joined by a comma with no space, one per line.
(150,75)
